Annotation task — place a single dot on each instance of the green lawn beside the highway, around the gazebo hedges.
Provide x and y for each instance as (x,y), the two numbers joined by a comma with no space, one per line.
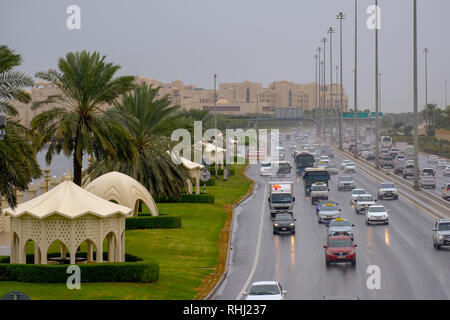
(186,256)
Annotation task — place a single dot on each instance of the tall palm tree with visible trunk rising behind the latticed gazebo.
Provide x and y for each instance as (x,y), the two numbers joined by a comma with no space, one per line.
(75,125)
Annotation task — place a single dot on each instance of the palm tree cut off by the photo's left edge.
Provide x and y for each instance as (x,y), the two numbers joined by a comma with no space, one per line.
(18,165)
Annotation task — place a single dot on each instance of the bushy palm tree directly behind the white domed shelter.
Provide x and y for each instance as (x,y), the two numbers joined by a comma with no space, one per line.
(150,122)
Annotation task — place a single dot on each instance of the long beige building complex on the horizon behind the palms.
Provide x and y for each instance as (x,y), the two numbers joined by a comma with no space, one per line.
(233,98)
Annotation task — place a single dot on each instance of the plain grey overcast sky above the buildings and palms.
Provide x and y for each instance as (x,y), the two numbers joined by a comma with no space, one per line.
(256,40)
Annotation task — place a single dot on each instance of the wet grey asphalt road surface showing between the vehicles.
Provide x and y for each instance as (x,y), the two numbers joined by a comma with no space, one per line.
(410,267)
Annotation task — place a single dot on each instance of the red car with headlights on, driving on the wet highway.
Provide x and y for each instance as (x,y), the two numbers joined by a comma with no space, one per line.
(340,249)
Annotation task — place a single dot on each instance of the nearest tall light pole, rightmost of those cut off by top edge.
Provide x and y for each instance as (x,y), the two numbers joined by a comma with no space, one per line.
(416,117)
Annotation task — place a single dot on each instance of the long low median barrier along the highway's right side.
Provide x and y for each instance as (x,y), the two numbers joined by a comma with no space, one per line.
(441,206)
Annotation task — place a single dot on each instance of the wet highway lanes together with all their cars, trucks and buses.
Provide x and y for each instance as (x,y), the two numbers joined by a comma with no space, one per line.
(348,233)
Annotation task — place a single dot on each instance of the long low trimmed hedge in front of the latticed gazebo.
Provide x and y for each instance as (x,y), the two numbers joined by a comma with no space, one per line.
(96,272)
